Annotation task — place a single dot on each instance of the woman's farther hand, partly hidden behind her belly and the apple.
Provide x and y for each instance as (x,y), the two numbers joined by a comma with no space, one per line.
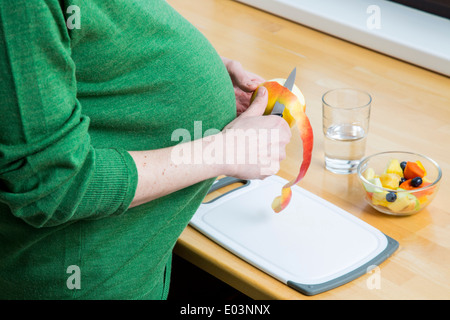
(244,83)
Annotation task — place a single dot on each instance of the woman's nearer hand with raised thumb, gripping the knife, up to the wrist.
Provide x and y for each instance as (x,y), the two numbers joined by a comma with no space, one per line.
(255,145)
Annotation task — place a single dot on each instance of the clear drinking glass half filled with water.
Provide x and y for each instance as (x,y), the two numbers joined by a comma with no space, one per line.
(345,114)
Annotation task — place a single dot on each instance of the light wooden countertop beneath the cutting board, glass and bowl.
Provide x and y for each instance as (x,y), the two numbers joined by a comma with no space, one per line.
(410,112)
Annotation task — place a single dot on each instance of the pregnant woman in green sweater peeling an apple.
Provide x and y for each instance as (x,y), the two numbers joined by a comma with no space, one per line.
(91,203)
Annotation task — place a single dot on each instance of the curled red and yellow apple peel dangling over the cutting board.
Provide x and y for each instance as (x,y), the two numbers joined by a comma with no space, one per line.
(294,114)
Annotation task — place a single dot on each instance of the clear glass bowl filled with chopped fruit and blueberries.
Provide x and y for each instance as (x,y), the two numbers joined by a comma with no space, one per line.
(379,175)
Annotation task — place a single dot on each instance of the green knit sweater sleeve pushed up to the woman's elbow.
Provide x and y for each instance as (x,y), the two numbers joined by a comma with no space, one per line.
(49,172)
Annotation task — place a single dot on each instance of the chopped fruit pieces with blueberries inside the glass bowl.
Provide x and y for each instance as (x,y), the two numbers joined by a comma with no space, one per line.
(401,188)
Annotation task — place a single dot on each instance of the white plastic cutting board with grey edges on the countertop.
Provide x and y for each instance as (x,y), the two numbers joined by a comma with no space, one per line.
(312,246)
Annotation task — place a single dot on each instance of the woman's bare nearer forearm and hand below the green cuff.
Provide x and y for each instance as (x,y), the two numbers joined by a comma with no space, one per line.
(257,144)
